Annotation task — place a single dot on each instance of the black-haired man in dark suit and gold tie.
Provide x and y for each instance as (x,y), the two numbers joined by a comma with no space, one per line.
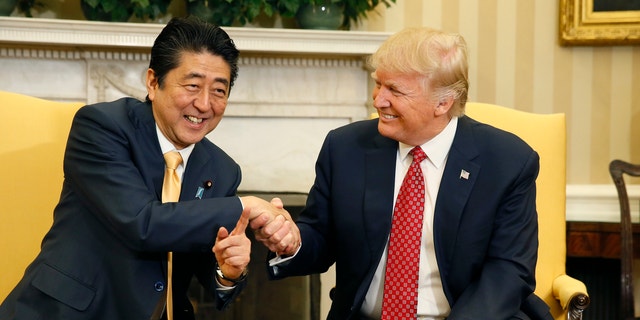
(105,256)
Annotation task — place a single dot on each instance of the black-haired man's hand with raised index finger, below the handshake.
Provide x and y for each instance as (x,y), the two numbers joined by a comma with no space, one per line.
(233,249)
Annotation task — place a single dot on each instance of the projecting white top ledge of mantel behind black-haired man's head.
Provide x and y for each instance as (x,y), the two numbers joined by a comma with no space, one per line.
(92,34)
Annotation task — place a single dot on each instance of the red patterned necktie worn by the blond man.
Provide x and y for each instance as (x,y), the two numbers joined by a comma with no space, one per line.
(400,299)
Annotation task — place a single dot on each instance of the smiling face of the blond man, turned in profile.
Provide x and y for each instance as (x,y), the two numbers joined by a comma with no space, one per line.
(407,111)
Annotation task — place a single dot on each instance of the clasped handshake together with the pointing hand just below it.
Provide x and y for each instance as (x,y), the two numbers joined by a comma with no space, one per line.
(272,226)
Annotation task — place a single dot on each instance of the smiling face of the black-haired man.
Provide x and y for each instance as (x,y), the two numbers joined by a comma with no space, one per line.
(192,99)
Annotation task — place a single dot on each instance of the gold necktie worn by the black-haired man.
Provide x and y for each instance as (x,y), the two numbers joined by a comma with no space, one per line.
(171,193)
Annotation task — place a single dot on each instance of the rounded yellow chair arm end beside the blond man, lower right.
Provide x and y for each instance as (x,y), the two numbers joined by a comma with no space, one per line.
(572,294)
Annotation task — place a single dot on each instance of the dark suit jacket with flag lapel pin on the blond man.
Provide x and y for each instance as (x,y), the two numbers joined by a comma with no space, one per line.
(485,225)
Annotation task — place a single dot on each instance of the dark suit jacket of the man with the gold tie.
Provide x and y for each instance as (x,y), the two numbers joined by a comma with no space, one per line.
(105,254)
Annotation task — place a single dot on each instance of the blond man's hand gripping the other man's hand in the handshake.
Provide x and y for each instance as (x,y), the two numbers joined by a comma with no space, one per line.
(280,234)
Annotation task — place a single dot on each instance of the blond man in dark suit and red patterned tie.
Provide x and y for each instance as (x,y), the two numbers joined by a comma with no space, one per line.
(477,231)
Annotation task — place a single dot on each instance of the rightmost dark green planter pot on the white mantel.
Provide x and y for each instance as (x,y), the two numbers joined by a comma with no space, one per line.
(327,16)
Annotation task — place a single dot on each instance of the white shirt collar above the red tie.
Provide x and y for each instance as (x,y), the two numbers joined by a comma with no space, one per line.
(436,148)
